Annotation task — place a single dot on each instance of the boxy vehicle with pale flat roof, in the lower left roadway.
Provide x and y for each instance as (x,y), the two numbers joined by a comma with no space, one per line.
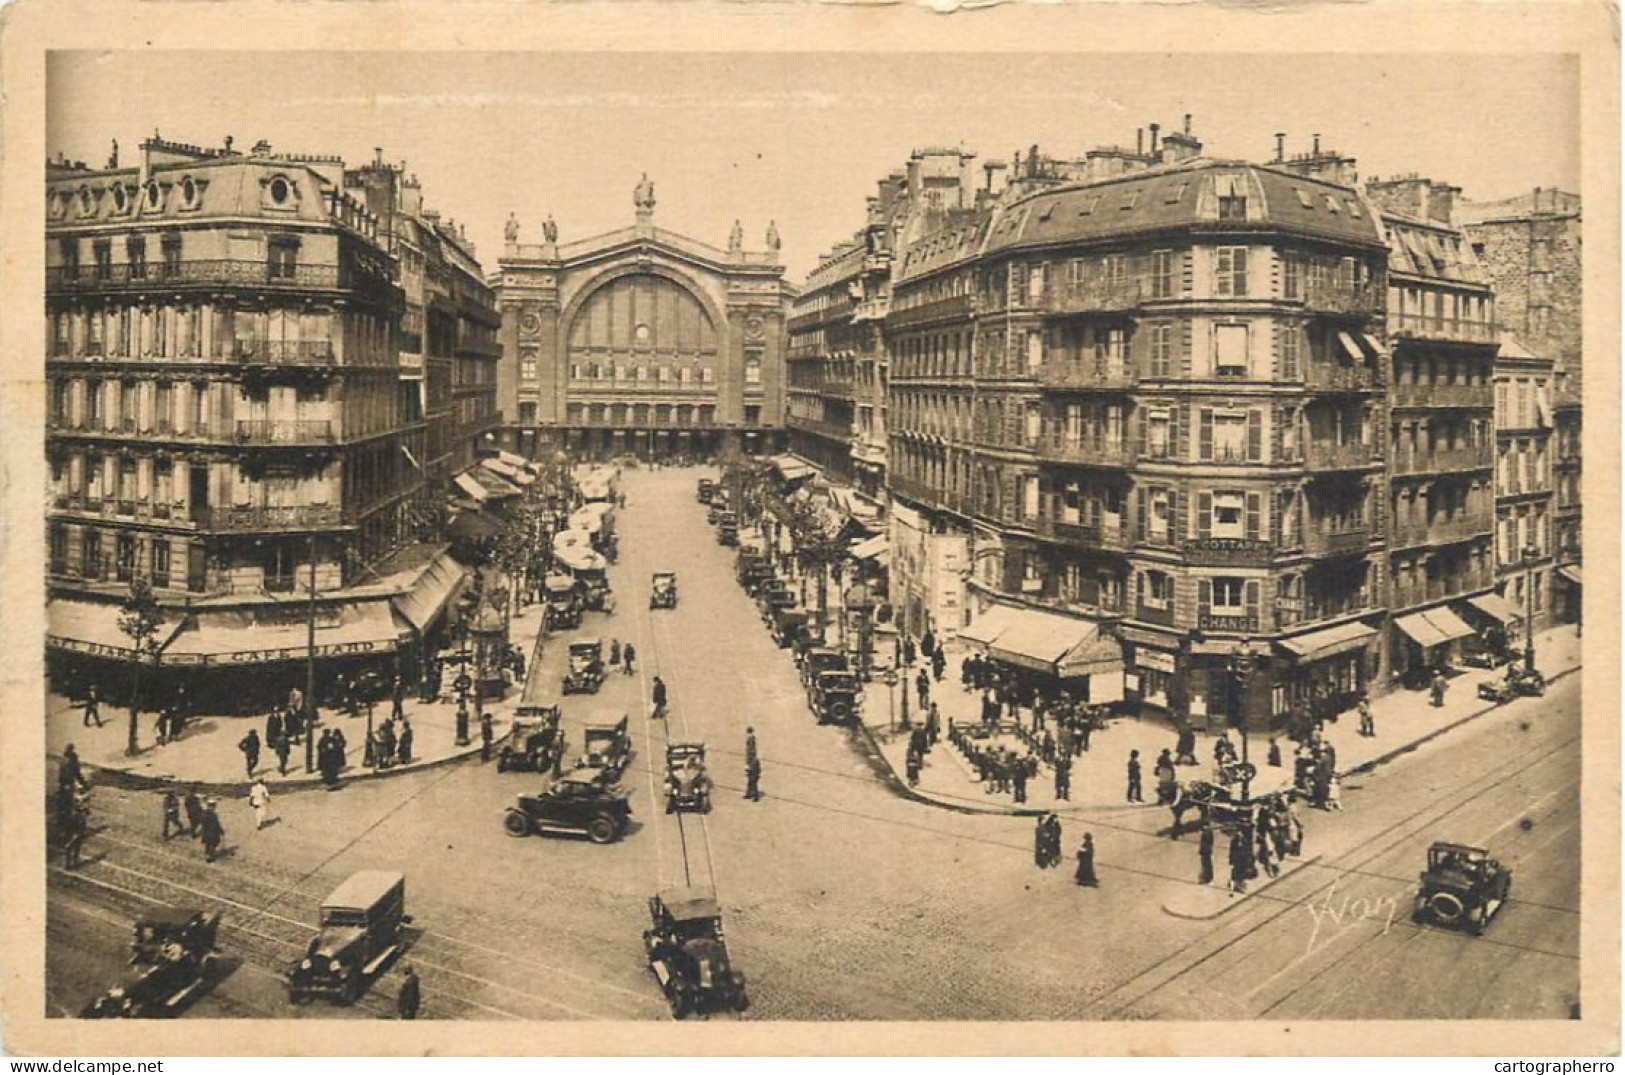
(362,931)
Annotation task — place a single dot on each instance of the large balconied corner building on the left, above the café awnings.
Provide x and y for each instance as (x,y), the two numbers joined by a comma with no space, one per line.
(223,395)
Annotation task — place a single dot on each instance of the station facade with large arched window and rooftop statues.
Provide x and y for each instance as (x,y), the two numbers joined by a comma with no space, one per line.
(643,342)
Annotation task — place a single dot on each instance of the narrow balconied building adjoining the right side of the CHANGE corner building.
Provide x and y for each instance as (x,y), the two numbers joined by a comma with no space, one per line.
(1441,428)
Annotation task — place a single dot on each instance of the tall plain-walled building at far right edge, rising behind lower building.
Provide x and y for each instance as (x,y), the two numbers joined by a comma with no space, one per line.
(1530,248)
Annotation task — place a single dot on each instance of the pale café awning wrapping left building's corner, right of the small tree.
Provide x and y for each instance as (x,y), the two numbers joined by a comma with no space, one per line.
(280,634)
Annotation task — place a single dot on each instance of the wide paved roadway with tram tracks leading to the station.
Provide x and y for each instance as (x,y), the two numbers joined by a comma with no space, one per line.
(844,900)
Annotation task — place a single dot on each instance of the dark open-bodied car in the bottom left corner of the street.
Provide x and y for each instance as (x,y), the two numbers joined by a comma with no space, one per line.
(170,956)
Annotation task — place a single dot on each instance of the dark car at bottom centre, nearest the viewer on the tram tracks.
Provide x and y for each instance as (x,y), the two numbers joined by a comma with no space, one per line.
(688,954)
